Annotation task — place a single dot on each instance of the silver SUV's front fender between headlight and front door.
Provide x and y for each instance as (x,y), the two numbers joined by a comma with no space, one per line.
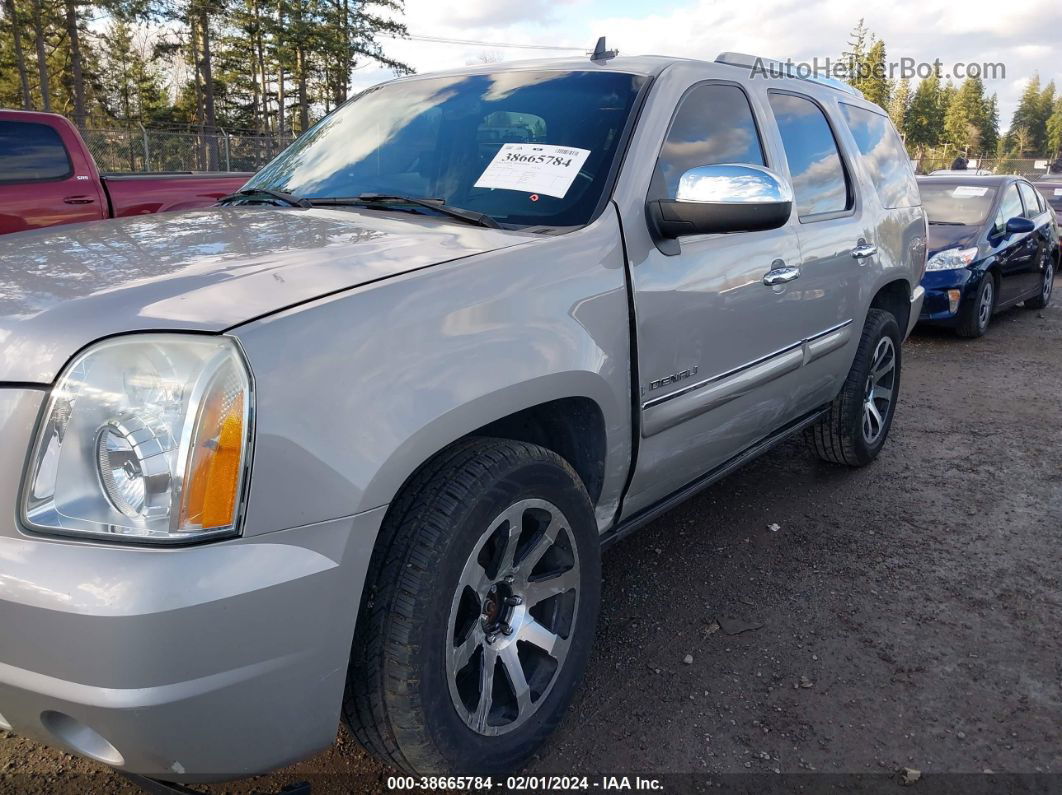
(356,391)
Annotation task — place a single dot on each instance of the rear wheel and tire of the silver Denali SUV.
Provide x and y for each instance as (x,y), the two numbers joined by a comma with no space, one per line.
(858,424)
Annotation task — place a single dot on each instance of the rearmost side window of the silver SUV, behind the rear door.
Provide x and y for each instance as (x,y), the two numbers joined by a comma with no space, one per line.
(884,157)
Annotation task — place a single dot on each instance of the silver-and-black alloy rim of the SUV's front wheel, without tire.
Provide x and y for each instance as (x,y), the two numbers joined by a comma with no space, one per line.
(512,618)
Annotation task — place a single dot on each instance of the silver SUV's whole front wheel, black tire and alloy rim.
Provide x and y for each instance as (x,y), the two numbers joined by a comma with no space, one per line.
(477,626)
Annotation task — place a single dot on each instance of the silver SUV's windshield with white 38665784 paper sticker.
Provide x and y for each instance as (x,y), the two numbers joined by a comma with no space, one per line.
(527,148)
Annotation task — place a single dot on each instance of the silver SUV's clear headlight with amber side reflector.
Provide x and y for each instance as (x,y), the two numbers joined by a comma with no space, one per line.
(144,439)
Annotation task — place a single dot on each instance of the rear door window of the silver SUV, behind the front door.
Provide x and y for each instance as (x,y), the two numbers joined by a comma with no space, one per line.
(820,183)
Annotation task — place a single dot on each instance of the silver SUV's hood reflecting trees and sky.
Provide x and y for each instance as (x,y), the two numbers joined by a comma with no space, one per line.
(207,270)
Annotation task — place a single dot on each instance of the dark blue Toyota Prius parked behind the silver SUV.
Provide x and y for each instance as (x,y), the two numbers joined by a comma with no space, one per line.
(994,244)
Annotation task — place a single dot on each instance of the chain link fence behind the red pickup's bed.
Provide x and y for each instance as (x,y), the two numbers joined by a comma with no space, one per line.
(145,150)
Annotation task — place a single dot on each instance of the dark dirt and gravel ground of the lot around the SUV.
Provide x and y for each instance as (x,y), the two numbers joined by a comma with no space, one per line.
(903,616)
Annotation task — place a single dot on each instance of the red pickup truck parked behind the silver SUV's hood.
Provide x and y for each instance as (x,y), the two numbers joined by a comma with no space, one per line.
(48,177)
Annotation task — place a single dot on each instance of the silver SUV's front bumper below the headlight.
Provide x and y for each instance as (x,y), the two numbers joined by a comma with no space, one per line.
(202,663)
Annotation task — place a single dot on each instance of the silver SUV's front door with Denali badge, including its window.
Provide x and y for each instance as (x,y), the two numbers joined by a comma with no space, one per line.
(714,341)
